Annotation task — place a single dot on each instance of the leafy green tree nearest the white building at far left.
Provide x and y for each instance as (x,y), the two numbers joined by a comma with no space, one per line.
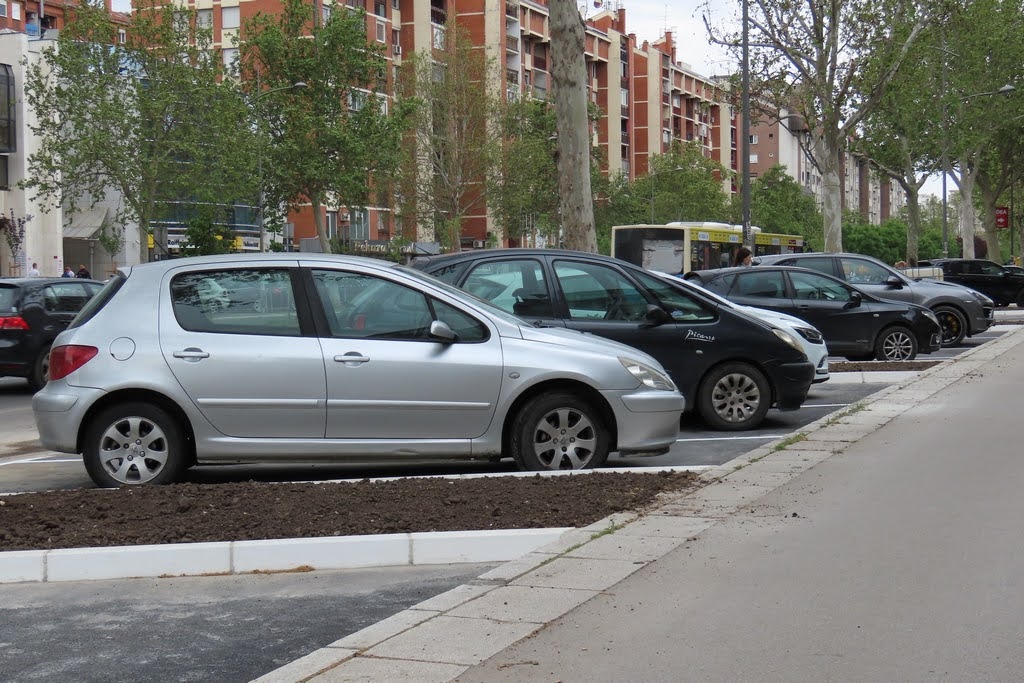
(121,117)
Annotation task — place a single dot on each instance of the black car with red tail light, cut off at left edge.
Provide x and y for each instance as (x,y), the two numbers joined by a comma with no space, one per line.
(33,313)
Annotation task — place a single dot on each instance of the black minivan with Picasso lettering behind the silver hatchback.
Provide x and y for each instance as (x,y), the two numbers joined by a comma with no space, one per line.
(731,368)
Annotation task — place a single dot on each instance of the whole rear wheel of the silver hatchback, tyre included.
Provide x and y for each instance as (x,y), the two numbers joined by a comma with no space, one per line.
(134,444)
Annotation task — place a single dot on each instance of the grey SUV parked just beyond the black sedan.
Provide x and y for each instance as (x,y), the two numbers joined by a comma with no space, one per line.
(962,312)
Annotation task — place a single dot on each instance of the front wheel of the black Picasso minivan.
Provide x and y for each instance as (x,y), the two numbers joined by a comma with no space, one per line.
(735,397)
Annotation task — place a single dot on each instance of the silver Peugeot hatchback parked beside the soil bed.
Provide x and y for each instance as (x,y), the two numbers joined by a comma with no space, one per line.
(310,358)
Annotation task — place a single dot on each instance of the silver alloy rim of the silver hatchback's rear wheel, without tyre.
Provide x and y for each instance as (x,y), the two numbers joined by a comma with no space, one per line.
(134,450)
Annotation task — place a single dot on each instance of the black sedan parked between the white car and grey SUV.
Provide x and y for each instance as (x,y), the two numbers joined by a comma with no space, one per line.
(855,324)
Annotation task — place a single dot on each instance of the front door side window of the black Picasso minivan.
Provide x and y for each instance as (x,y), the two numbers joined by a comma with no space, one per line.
(598,292)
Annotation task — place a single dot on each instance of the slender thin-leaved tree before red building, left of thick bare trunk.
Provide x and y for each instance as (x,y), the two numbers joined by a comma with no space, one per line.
(457,143)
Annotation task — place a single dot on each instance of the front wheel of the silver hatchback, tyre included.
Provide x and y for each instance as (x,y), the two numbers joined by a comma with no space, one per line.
(560,432)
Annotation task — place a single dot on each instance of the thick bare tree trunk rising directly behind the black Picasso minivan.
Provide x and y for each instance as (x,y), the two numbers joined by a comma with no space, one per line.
(569,88)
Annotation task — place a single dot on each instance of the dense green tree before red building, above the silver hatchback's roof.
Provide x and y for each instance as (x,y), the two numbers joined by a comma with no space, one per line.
(337,141)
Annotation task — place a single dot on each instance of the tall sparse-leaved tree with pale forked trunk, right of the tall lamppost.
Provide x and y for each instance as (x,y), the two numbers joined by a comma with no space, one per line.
(810,56)
